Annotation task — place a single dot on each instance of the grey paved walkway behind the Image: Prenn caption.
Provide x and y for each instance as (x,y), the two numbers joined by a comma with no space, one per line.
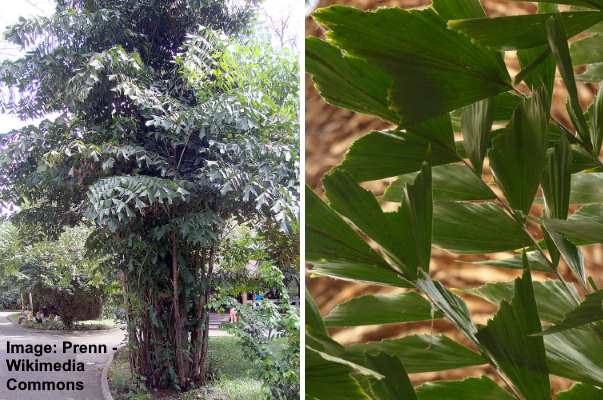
(94,363)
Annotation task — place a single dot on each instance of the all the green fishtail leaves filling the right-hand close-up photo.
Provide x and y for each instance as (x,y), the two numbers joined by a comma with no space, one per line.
(514,179)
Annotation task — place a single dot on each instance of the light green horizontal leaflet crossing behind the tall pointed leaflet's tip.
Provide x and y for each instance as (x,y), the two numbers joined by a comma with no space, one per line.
(552,300)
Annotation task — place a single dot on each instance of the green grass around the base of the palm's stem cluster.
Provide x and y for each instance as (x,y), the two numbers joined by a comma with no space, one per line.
(233,378)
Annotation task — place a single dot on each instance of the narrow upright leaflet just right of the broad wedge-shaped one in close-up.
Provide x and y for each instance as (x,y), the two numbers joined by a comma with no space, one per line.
(556,179)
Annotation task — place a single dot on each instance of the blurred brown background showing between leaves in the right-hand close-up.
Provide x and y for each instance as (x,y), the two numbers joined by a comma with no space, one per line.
(329,133)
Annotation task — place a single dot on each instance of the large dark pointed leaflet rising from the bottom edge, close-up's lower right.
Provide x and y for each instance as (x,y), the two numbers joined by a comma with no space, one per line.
(506,336)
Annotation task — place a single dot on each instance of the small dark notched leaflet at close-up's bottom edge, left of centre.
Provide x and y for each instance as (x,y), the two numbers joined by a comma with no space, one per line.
(395,385)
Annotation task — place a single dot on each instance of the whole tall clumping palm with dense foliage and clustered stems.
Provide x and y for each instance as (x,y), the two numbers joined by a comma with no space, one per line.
(169,123)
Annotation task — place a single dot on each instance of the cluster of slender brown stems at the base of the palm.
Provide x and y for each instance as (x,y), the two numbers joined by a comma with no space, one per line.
(168,335)
